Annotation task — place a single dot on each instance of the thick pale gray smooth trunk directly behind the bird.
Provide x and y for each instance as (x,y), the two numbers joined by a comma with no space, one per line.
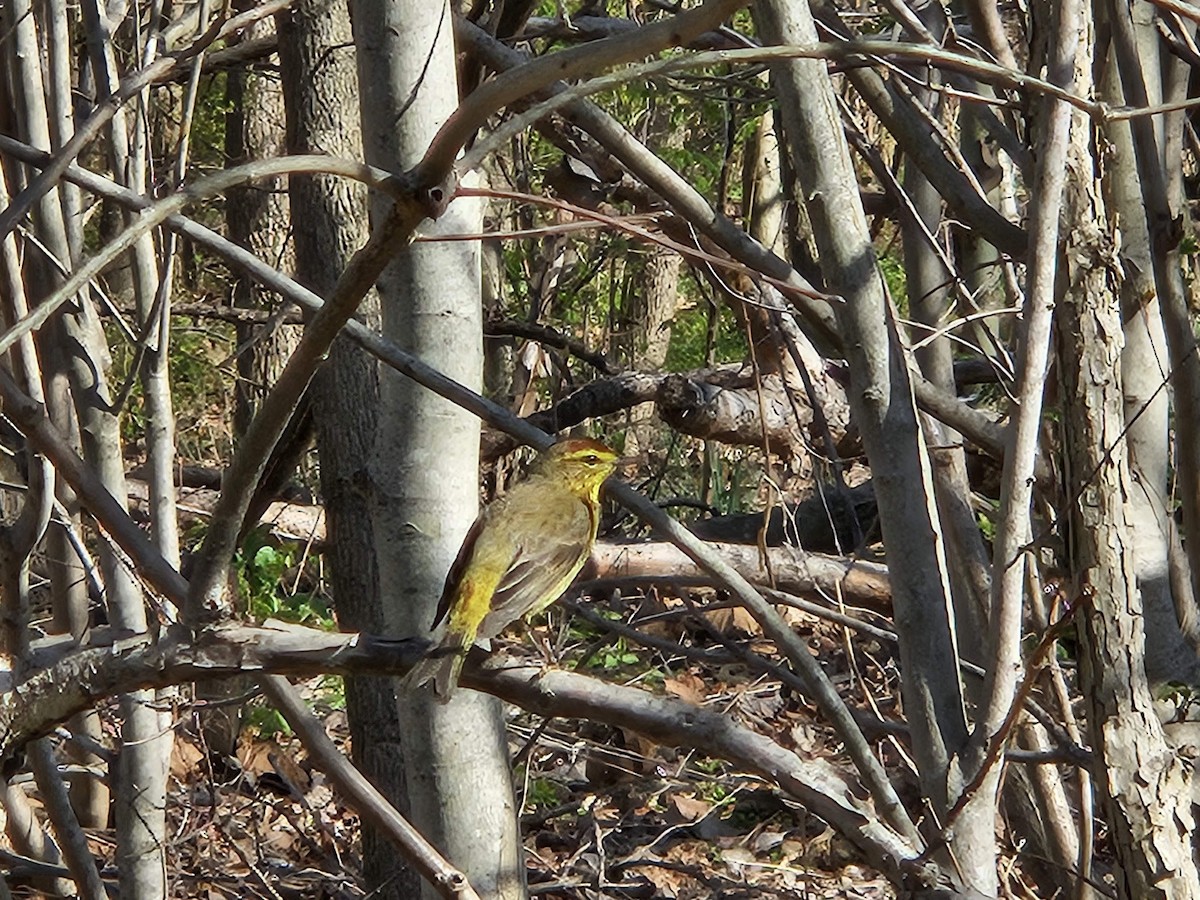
(425,469)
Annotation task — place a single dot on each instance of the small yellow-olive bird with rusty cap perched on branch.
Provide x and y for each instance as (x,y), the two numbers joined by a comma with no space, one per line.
(520,556)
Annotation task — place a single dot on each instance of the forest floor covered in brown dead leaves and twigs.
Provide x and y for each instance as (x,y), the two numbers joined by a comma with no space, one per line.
(605,814)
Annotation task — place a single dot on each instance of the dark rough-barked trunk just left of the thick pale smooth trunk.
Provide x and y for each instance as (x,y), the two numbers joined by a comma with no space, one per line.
(320,83)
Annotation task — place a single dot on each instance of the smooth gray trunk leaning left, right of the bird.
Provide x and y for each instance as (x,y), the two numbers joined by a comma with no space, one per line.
(883,405)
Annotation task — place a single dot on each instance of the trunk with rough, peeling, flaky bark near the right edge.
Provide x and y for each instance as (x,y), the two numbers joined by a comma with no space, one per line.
(1144,788)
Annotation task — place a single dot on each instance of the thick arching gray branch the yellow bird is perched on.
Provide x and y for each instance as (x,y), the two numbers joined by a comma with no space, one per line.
(80,679)
